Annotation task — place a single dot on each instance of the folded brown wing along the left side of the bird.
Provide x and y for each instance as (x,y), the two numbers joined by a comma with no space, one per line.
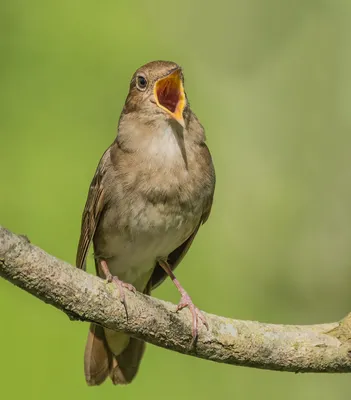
(93,207)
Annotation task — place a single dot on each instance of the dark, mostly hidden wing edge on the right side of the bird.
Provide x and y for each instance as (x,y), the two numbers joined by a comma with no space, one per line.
(159,275)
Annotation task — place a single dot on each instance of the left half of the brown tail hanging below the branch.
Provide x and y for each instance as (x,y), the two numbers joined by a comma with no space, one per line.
(97,356)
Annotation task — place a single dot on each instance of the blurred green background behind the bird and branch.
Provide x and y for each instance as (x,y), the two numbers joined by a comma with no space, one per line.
(270,80)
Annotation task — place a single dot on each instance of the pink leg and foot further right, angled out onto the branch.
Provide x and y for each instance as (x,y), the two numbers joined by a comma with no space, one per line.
(185,301)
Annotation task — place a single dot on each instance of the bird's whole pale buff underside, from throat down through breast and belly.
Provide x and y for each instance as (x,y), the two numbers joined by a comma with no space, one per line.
(154,203)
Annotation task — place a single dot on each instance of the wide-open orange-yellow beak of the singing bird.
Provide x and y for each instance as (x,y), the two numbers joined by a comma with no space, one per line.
(170,96)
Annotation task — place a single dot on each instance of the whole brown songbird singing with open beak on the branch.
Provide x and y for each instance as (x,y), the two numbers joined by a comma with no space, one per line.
(151,191)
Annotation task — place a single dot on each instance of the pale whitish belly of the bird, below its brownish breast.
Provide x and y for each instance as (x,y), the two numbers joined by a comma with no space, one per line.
(151,235)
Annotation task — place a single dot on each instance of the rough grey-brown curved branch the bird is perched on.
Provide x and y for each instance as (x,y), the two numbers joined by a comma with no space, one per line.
(314,348)
